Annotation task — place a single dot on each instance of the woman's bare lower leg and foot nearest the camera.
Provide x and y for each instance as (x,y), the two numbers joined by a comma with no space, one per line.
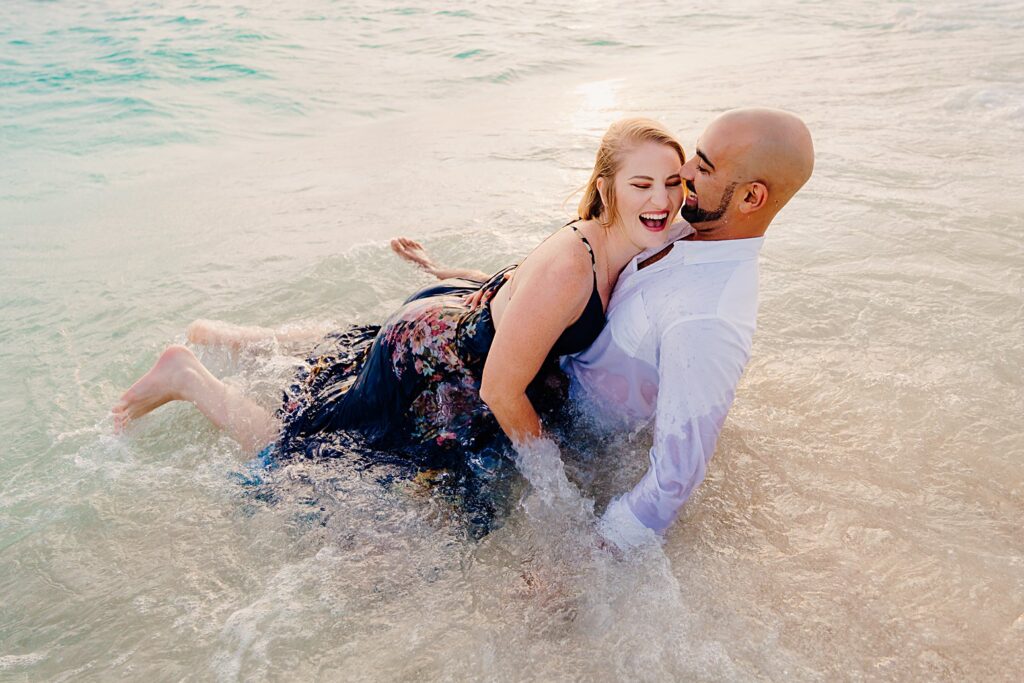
(180,376)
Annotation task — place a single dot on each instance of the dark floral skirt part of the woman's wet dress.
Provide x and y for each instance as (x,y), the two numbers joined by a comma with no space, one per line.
(412,385)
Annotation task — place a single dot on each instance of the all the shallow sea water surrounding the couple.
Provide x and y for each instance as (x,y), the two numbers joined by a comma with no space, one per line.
(166,161)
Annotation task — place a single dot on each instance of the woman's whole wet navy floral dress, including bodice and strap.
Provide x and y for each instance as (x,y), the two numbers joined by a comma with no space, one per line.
(407,394)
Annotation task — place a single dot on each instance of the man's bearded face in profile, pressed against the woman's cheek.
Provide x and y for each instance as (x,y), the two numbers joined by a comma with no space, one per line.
(709,178)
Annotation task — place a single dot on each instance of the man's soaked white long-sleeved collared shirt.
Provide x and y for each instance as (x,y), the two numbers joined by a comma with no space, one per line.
(677,340)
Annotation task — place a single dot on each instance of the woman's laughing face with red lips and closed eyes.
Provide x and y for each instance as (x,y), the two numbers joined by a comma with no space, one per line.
(649,193)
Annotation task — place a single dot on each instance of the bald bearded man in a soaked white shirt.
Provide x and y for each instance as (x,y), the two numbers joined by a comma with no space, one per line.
(681,321)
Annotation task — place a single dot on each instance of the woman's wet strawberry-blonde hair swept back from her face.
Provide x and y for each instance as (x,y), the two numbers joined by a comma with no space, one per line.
(622,136)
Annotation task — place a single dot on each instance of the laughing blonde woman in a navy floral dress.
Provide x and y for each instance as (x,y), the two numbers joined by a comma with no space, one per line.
(440,377)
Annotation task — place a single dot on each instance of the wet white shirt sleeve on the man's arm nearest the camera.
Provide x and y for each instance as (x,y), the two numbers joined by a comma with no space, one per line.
(700,365)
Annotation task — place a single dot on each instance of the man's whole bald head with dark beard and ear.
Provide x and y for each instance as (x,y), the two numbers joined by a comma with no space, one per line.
(749,163)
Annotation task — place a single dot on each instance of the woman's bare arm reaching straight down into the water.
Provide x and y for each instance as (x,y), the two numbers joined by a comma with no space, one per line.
(550,293)
